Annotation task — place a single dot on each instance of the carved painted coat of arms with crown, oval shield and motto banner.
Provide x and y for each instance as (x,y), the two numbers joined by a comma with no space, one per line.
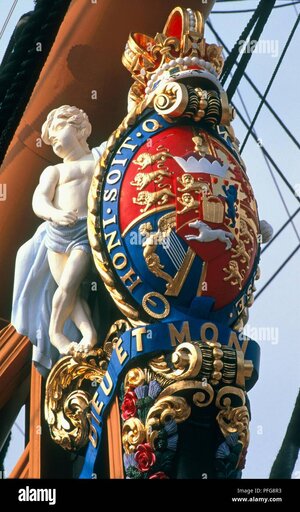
(174,230)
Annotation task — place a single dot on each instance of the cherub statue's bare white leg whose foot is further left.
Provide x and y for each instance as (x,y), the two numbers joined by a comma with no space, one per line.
(69,273)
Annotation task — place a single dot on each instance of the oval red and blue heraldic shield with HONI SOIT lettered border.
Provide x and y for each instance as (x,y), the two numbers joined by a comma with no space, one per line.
(179,214)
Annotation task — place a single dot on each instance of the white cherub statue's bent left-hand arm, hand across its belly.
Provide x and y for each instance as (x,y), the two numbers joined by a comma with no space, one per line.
(42,201)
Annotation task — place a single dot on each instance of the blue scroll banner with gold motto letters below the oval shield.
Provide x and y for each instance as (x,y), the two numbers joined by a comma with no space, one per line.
(151,340)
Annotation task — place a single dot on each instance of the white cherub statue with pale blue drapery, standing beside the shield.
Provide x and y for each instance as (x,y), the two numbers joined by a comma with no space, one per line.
(43,310)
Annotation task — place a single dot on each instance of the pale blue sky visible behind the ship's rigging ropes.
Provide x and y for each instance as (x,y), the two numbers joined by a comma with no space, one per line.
(276,311)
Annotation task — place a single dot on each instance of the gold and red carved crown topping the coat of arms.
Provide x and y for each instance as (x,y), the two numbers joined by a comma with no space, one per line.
(179,47)
